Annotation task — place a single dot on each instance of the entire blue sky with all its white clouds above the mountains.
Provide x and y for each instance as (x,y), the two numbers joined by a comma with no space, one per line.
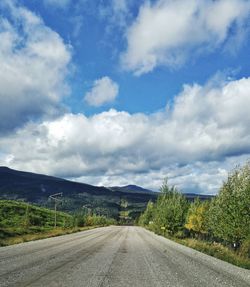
(126,92)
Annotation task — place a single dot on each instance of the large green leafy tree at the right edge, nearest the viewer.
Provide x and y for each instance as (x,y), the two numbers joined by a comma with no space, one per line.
(229,213)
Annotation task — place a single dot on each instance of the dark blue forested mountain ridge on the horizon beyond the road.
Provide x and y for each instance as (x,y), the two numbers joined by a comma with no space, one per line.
(36,188)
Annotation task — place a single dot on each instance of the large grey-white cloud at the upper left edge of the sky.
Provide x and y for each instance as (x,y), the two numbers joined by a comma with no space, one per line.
(34,64)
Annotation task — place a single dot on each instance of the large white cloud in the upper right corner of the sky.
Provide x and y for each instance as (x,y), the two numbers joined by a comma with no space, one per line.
(166,31)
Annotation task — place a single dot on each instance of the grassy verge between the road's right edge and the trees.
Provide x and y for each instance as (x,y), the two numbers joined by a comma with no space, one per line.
(214,249)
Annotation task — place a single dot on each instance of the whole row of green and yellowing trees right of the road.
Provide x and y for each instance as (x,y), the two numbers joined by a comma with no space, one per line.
(224,219)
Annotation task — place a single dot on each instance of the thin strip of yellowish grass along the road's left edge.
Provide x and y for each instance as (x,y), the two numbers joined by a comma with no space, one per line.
(42,234)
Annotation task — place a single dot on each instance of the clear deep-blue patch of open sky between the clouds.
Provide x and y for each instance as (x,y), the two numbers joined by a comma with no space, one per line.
(97,44)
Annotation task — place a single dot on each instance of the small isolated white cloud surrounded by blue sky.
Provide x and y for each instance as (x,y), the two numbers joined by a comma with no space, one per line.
(104,91)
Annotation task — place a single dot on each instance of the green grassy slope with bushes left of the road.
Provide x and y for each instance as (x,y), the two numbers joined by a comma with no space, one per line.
(22,222)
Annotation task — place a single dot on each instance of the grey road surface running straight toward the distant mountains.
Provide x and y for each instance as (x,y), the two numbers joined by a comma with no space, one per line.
(114,256)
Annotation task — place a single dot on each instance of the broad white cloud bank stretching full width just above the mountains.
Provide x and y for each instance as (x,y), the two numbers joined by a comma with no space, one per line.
(194,142)
